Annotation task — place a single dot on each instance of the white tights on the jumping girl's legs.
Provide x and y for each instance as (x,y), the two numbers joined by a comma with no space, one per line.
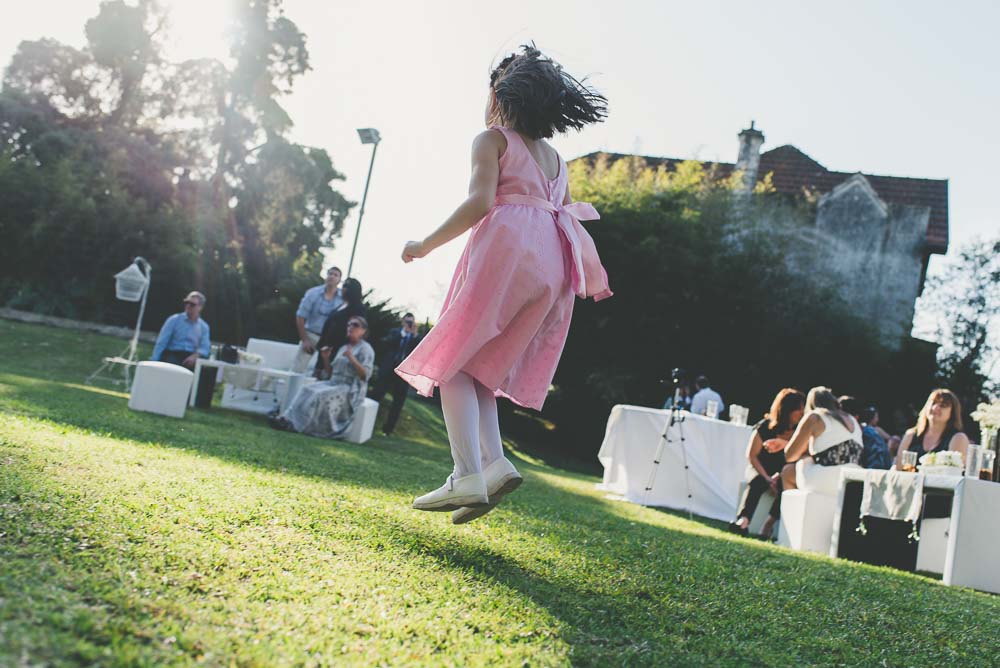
(470,413)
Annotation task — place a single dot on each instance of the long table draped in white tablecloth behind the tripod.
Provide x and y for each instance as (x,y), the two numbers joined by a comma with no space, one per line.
(715,454)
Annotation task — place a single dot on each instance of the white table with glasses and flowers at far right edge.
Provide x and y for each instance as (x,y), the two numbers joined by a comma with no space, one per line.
(971,549)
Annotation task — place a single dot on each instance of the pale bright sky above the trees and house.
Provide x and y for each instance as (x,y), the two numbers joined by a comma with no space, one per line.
(884,87)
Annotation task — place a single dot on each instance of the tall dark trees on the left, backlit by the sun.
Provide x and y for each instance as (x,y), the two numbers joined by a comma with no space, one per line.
(112,151)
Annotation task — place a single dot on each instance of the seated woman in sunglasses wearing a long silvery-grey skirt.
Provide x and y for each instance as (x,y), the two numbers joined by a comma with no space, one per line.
(327,408)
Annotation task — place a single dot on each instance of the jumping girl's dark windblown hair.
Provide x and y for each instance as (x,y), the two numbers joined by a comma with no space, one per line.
(537,98)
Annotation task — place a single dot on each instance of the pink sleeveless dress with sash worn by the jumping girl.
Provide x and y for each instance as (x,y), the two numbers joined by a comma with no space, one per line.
(507,313)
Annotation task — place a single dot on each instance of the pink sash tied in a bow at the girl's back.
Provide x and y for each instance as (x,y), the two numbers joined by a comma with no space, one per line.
(589,278)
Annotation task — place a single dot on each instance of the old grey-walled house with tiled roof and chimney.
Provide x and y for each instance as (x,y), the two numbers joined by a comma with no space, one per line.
(878,232)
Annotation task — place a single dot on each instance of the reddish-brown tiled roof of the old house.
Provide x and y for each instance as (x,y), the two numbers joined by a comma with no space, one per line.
(793,172)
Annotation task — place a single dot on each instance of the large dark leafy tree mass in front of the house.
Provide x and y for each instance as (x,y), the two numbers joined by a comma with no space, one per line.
(713,289)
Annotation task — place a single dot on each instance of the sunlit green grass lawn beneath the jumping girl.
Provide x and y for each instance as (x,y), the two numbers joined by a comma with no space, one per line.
(130,538)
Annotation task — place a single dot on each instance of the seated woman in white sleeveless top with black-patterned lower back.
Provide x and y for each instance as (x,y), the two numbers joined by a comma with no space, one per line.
(826,440)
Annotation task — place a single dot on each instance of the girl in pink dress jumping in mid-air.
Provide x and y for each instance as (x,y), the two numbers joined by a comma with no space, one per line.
(507,313)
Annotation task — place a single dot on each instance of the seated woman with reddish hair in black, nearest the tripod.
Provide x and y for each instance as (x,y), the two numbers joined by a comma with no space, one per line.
(766,454)
